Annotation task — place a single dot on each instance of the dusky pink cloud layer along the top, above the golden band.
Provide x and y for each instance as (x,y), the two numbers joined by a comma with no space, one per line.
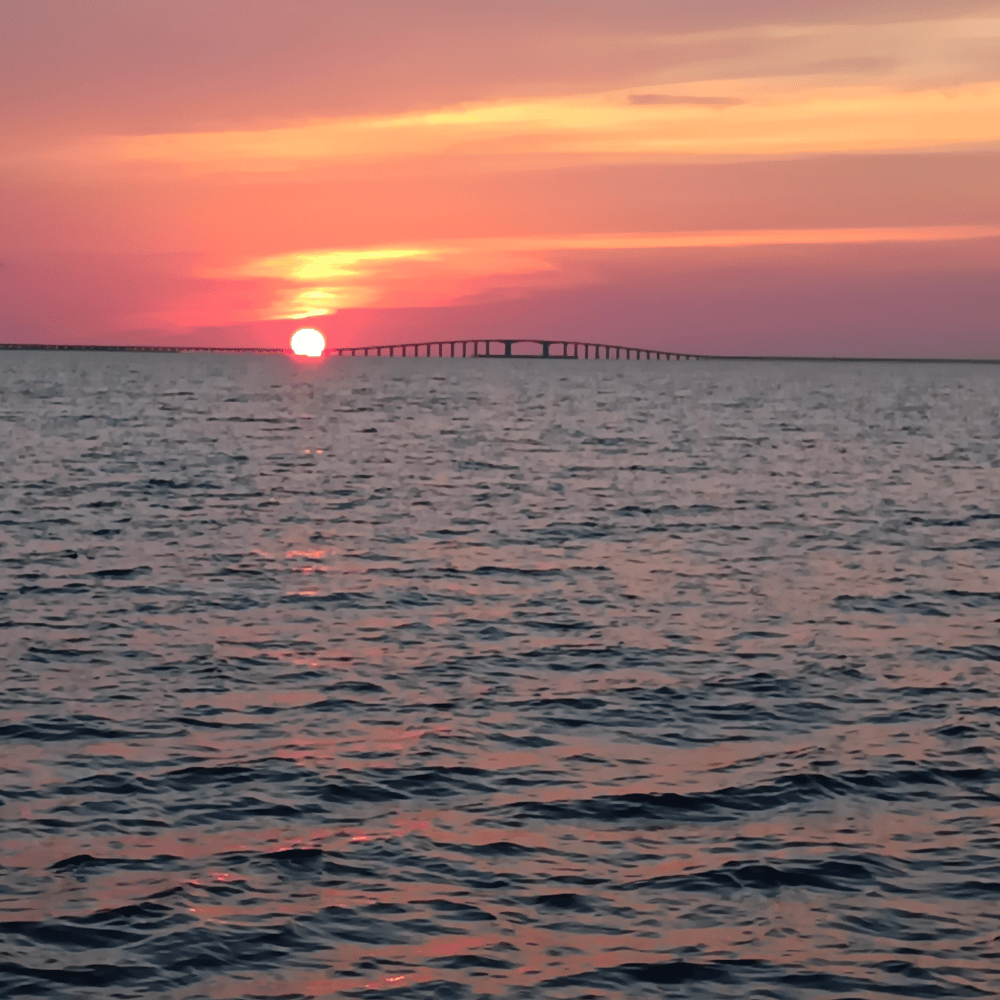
(153,66)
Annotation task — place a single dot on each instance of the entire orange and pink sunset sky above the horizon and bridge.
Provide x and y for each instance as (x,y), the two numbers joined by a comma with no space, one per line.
(737,177)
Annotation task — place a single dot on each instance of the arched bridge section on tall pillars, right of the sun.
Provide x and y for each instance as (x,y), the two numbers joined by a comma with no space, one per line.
(484,348)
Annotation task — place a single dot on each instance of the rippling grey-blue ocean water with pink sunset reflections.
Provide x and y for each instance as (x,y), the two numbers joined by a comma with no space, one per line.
(455,679)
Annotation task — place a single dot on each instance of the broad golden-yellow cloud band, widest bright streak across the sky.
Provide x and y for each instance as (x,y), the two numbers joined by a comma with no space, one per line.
(774,119)
